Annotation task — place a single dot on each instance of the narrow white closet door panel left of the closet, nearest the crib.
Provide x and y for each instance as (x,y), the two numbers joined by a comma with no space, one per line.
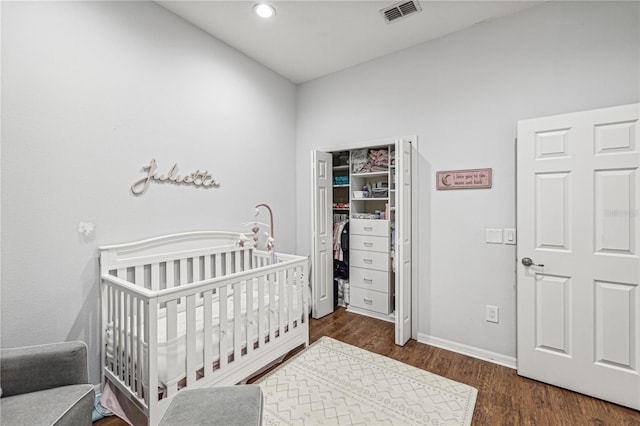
(322,234)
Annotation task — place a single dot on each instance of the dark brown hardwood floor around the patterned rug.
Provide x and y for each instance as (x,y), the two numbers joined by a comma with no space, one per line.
(504,398)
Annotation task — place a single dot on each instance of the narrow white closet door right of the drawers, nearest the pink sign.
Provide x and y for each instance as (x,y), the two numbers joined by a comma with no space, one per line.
(403,242)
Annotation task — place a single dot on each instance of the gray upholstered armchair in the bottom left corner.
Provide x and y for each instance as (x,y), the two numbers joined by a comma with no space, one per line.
(45,385)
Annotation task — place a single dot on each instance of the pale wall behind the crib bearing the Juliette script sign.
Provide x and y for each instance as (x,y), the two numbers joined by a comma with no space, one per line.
(91,92)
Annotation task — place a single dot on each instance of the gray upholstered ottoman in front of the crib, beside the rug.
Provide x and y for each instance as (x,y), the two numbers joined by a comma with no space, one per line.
(226,405)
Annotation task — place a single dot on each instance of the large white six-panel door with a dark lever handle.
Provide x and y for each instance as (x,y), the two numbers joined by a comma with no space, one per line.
(578,213)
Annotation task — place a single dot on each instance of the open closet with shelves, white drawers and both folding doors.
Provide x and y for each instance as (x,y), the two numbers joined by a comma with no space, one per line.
(362,231)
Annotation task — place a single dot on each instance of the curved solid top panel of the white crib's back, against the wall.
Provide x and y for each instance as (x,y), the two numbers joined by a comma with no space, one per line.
(158,249)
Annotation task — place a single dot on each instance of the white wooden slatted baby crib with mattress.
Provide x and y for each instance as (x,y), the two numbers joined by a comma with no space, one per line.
(171,305)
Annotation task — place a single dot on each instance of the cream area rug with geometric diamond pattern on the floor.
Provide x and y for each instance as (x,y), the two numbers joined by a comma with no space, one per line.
(332,383)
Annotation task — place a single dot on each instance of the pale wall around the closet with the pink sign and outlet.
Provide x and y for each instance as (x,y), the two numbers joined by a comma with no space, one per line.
(462,96)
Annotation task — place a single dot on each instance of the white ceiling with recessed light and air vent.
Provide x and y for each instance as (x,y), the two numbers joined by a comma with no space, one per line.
(309,39)
